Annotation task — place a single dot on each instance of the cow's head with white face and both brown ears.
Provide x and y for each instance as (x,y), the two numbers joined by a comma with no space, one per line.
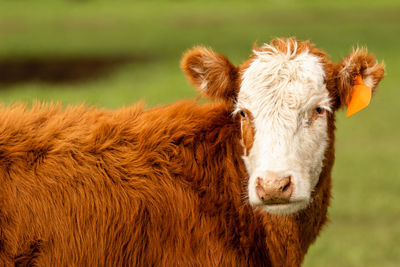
(285,95)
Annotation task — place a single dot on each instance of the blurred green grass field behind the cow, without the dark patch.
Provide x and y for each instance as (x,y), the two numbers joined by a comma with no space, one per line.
(365,210)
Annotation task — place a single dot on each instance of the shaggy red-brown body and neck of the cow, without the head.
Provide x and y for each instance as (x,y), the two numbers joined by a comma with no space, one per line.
(161,187)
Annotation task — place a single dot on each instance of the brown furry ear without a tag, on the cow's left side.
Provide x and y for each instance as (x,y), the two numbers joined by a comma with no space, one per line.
(212,74)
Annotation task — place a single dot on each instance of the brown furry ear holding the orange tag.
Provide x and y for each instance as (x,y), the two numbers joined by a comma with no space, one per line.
(359,64)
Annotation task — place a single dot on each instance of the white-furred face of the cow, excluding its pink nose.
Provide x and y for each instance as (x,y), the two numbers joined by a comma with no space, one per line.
(282,92)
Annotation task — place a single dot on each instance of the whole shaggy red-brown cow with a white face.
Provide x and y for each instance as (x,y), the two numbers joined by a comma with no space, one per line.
(243,180)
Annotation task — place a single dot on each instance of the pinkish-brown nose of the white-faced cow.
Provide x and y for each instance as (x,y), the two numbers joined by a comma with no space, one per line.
(274,189)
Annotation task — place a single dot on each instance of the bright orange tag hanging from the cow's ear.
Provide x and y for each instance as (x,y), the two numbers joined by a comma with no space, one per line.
(360,97)
